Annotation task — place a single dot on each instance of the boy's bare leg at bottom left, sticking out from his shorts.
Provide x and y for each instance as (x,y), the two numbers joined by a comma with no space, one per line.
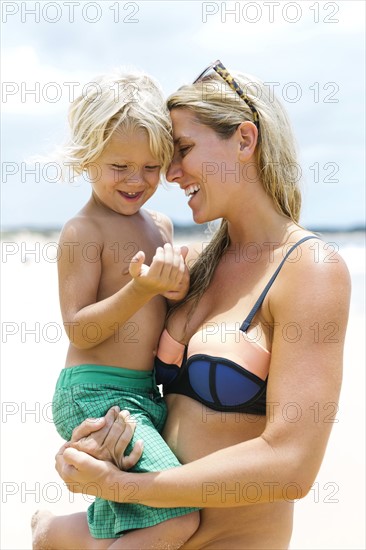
(70,532)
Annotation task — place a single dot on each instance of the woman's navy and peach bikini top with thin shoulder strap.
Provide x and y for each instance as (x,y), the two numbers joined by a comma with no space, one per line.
(232,377)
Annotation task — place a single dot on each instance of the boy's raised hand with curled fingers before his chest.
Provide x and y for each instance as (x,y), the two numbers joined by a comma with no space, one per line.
(166,274)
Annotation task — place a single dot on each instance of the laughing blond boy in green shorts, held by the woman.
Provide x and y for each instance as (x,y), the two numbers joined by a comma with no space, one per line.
(113,305)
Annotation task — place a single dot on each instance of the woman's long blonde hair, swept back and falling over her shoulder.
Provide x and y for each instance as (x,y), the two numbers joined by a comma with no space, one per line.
(214,104)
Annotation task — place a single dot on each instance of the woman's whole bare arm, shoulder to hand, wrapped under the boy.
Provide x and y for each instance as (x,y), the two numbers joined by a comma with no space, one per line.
(310,311)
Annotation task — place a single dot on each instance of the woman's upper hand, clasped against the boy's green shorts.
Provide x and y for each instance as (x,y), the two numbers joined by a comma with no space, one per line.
(107,438)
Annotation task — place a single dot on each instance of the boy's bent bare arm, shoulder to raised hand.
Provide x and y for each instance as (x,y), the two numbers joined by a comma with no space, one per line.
(79,278)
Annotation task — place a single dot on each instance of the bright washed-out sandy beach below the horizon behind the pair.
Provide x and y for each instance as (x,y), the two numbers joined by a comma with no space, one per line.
(33,350)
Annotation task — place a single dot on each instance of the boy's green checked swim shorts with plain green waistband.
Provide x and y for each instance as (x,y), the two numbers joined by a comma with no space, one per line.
(88,391)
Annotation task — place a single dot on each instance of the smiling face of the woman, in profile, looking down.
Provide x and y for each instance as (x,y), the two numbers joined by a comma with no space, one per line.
(204,165)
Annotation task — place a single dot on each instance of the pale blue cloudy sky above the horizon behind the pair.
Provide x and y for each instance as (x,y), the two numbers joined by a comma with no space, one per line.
(312,54)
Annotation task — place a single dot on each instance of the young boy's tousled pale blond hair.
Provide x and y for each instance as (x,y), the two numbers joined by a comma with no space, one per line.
(126,100)
